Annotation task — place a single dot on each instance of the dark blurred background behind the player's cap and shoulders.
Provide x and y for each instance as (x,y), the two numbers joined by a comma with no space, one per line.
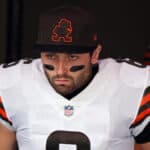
(123,26)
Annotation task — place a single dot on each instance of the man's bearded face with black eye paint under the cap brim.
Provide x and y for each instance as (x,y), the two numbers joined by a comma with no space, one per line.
(67,72)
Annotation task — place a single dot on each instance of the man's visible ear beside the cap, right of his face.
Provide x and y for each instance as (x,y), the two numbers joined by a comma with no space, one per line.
(96,53)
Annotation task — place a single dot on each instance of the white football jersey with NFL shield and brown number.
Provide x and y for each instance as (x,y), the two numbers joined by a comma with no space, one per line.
(101,117)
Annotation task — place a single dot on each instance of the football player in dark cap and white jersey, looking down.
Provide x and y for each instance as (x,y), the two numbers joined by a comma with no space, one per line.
(69,99)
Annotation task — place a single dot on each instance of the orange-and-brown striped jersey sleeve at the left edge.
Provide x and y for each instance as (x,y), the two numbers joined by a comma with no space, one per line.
(3,115)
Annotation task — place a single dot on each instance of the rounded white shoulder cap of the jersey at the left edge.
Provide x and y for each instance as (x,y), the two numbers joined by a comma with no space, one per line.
(9,74)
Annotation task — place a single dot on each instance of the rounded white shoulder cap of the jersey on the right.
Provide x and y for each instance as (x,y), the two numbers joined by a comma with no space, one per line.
(133,74)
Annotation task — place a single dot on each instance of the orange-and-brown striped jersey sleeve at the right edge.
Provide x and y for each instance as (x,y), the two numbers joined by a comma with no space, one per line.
(140,128)
